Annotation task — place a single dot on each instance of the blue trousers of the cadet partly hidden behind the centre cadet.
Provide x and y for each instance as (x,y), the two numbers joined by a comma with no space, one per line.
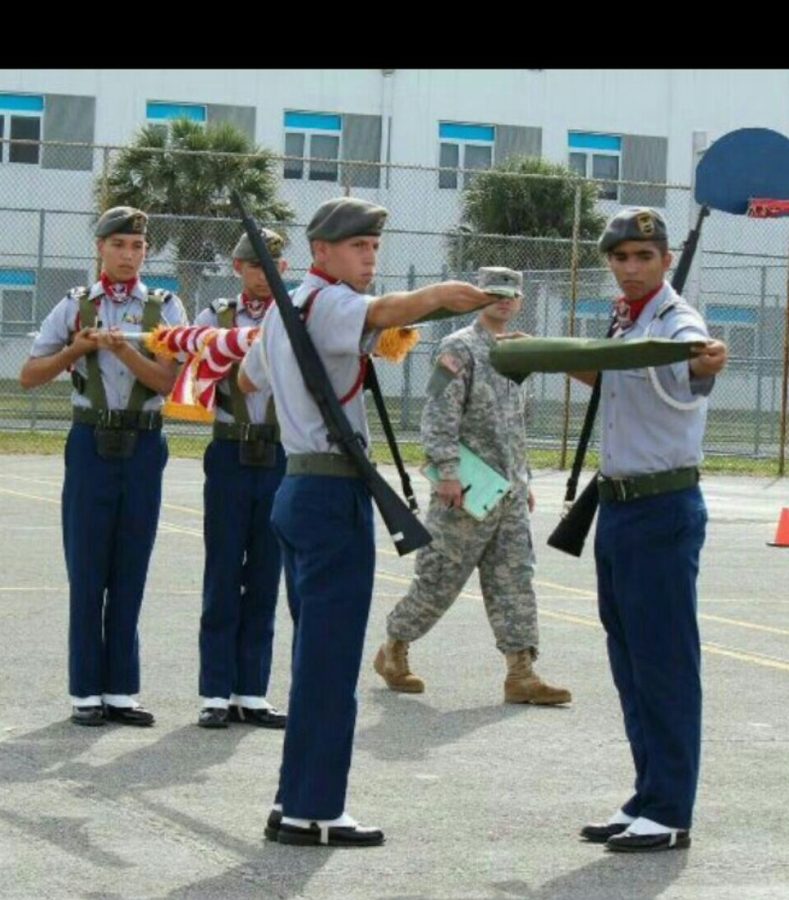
(241,576)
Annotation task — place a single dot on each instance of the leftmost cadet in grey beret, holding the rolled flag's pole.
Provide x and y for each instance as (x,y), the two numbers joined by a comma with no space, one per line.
(115,455)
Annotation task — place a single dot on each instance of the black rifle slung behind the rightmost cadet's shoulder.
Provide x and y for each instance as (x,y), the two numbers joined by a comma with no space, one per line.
(571,532)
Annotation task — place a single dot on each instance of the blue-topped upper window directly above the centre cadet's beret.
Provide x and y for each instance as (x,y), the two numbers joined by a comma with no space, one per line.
(313,141)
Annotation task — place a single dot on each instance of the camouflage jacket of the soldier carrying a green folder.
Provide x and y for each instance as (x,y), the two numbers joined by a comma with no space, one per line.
(469,402)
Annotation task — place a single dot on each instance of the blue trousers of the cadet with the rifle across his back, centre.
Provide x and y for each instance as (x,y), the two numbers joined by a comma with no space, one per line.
(325,525)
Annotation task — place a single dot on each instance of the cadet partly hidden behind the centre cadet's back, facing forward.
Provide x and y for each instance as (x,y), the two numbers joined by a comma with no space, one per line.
(244,465)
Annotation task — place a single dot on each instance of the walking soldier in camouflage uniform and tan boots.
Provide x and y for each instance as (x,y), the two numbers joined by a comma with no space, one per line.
(468,402)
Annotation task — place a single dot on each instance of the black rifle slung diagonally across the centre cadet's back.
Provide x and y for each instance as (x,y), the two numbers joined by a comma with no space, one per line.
(407,532)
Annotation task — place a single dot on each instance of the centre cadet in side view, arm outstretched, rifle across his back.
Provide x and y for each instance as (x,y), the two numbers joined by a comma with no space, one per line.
(323,512)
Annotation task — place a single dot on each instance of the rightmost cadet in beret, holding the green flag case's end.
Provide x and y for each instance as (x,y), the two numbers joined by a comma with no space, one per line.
(650,530)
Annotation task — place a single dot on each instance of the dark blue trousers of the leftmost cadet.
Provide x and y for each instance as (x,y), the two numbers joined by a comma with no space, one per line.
(110,510)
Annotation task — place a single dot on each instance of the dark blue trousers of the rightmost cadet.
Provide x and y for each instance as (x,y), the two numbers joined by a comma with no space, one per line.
(647,554)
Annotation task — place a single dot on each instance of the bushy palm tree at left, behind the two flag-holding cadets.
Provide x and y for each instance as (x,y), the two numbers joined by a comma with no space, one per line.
(183,177)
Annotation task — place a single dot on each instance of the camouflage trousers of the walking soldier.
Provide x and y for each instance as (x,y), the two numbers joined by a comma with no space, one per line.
(501,547)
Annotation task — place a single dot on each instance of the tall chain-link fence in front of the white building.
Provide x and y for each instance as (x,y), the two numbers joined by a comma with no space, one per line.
(48,207)
